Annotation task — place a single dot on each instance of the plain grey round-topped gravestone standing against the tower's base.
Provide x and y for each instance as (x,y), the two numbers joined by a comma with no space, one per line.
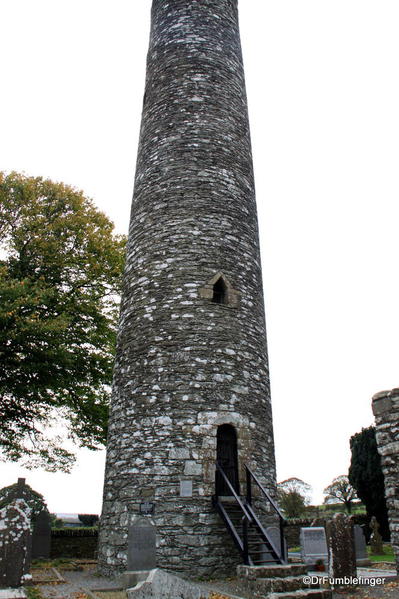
(141,546)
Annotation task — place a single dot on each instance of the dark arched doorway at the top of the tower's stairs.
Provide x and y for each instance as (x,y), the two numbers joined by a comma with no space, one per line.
(226,456)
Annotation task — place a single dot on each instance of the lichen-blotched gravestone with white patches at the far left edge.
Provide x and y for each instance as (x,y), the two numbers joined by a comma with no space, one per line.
(15,543)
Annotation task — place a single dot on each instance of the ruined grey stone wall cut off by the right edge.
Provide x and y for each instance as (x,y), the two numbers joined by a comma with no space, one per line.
(386,413)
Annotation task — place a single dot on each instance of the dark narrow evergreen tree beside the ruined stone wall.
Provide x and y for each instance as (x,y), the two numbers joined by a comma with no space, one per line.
(365,475)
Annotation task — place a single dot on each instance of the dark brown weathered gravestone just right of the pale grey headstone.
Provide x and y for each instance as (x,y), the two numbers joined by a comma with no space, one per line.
(341,545)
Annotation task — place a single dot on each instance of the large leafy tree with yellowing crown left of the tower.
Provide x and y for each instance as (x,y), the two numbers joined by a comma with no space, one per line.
(60,276)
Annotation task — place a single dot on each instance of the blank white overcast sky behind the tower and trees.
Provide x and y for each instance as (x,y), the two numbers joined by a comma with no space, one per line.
(323,91)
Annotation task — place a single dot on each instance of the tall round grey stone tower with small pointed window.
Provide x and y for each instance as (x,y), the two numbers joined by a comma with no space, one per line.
(191,382)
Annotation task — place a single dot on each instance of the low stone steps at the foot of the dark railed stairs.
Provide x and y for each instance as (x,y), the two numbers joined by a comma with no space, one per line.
(280,582)
